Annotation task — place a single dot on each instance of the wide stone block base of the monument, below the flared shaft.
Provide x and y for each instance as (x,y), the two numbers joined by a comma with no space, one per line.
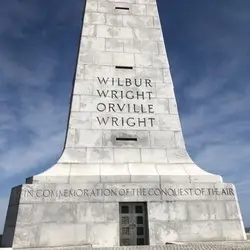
(56,215)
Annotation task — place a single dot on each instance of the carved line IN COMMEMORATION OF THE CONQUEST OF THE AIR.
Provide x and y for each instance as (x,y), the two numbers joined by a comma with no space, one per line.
(127,192)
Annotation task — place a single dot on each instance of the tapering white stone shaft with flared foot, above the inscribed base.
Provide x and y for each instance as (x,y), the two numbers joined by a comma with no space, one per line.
(110,103)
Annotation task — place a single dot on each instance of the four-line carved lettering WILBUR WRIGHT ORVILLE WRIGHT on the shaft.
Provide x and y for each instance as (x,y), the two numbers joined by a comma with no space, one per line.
(125,103)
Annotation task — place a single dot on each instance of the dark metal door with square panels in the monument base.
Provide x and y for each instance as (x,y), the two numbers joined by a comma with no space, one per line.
(133,224)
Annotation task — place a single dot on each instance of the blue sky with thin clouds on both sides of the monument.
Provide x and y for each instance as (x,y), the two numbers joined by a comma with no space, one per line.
(208,48)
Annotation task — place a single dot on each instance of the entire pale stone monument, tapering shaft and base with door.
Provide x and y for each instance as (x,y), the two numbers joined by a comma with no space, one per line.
(124,177)
